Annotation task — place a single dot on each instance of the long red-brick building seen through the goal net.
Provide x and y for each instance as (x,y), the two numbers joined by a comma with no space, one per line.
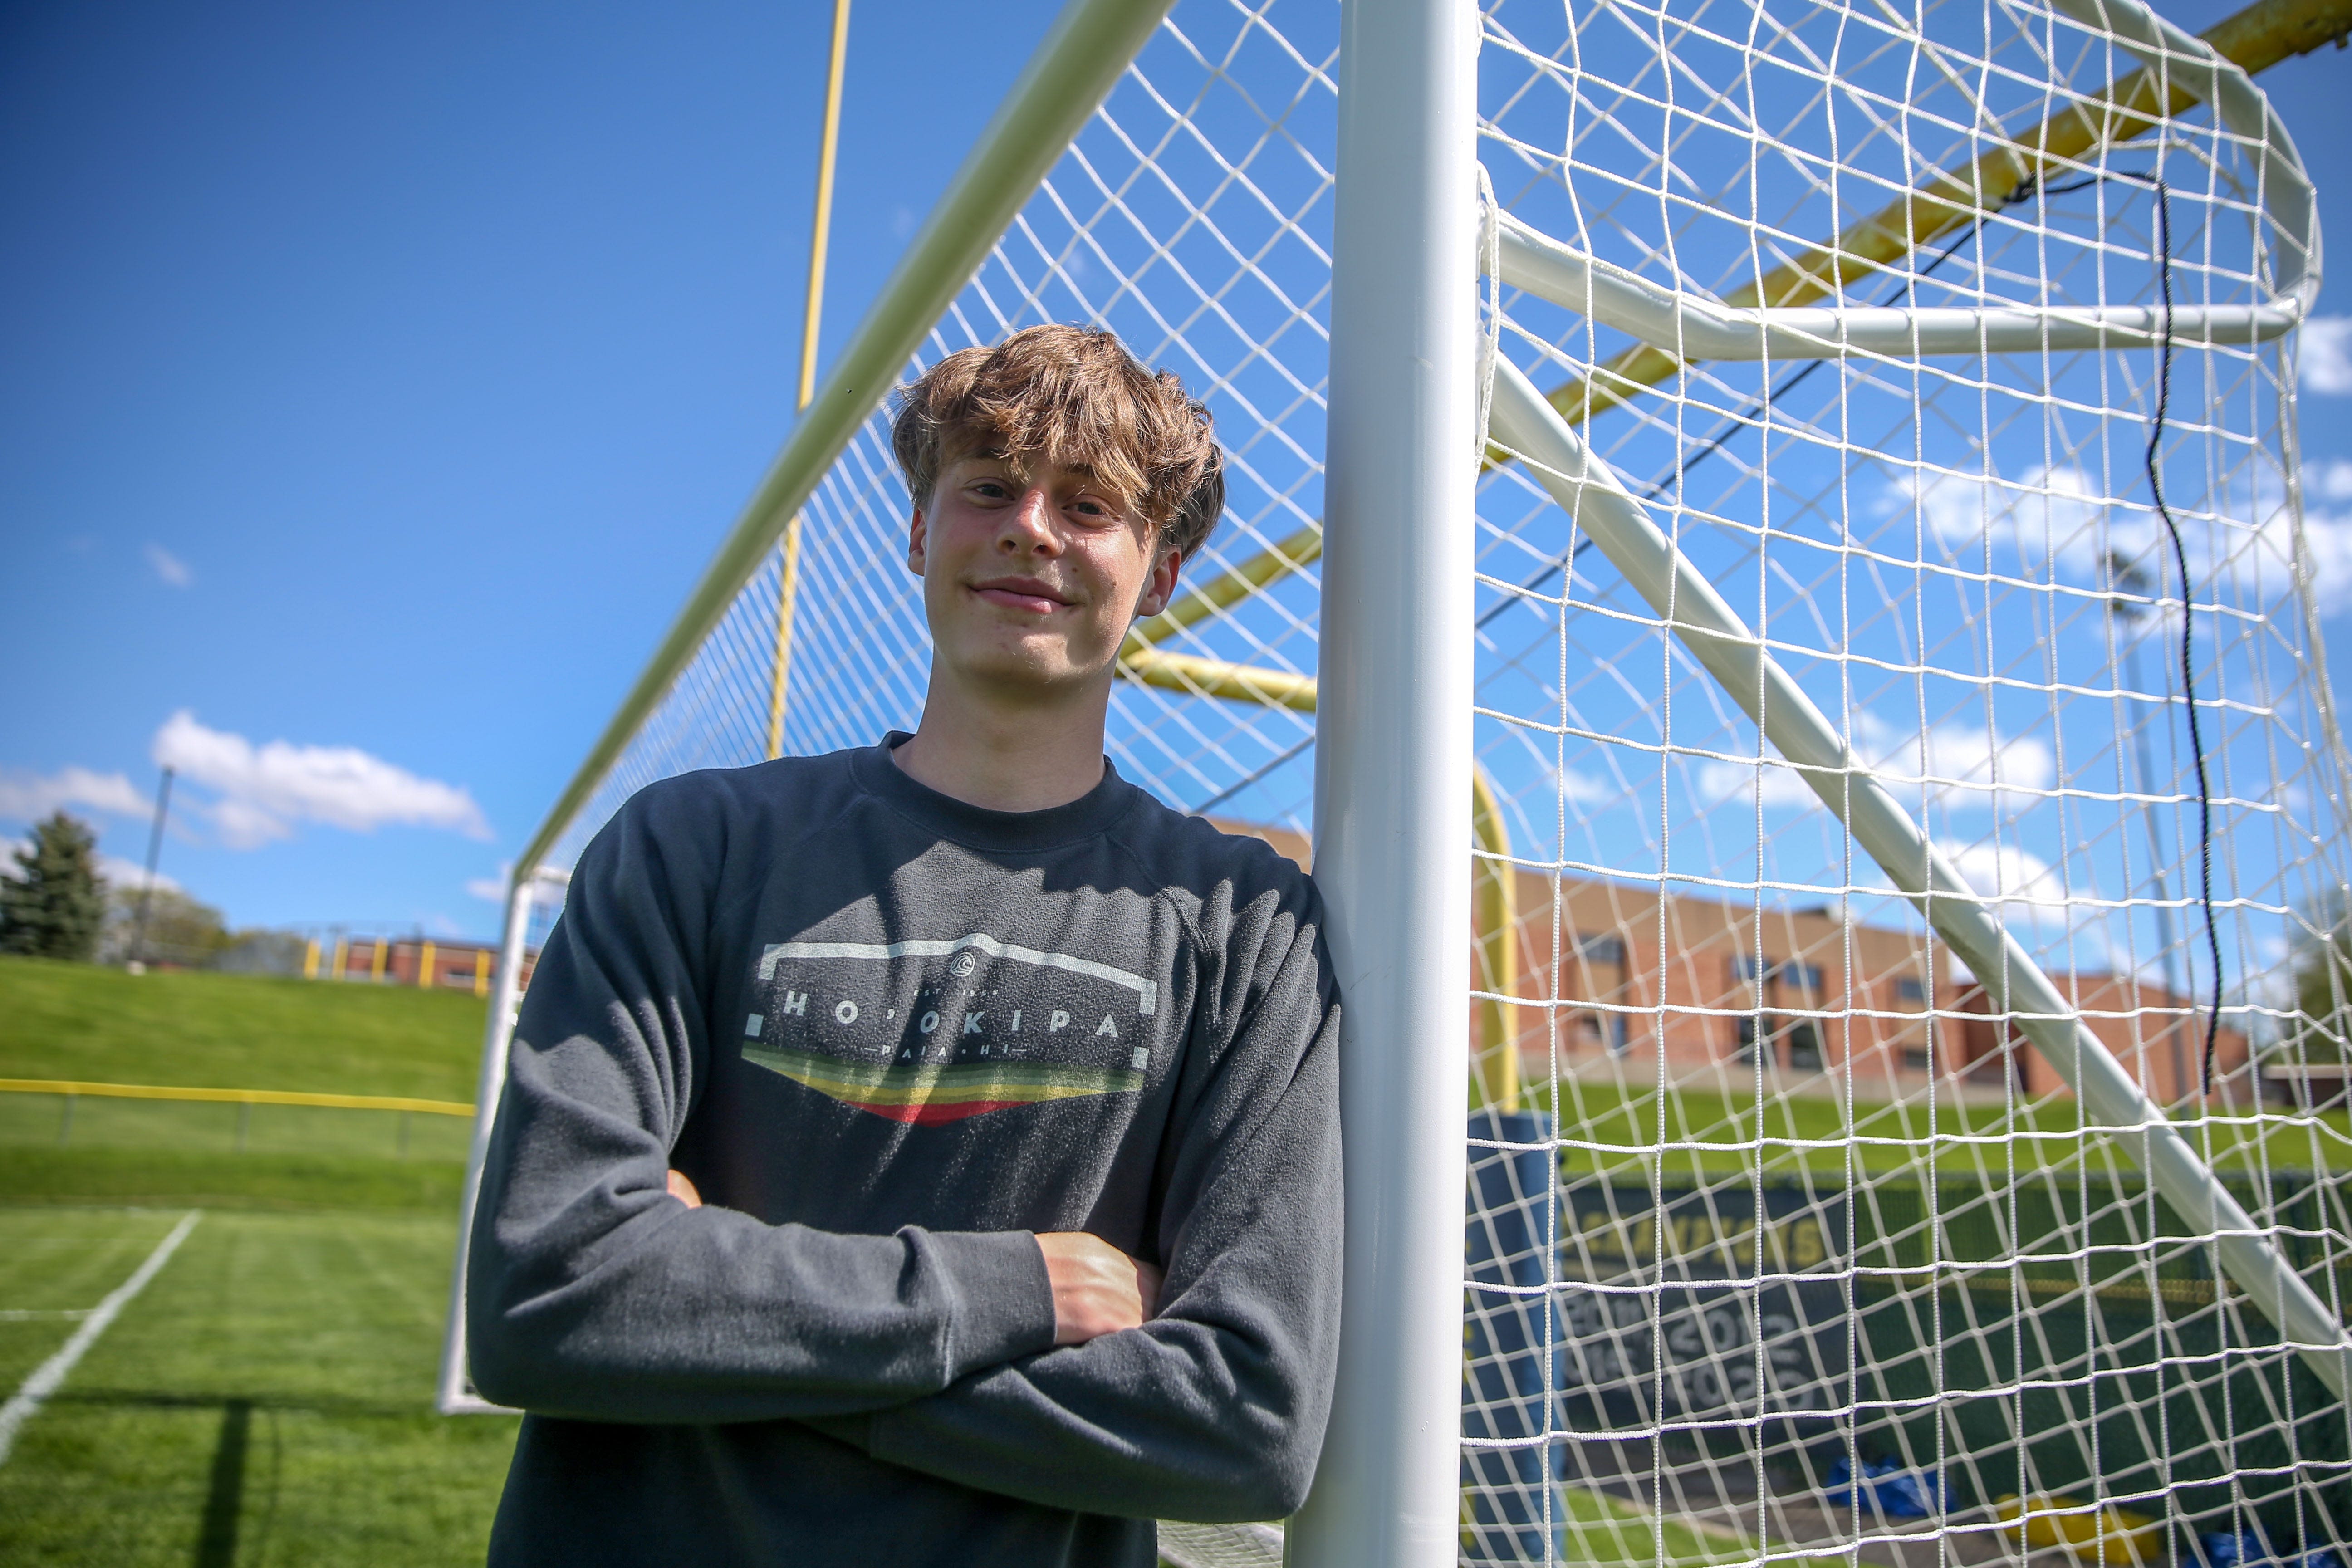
(1615,974)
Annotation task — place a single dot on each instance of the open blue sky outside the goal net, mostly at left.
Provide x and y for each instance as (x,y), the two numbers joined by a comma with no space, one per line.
(380,382)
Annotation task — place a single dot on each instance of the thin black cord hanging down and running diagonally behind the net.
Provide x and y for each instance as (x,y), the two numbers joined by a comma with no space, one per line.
(2156,488)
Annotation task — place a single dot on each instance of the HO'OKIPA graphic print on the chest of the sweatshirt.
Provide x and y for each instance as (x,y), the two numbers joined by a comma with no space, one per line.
(940,1031)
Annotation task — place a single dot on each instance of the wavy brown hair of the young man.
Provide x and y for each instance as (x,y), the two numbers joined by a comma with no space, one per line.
(1076,398)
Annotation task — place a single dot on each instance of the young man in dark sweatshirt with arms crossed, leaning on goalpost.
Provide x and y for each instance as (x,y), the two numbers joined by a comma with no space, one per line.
(930,1153)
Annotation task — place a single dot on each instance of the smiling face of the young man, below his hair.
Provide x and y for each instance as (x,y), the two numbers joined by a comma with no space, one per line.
(1031,575)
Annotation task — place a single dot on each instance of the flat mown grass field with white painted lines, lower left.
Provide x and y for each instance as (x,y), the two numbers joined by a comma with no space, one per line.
(265,1402)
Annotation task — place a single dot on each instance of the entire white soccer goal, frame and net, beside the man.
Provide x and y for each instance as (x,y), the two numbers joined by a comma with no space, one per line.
(1836,939)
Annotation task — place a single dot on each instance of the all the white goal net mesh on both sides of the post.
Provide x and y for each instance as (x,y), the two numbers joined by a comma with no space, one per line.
(1784,1242)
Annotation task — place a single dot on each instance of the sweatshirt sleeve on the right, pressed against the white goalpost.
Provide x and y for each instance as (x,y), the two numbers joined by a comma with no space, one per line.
(1217,1407)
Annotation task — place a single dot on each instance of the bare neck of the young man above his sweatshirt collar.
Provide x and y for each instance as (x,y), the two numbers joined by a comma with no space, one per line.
(1003,758)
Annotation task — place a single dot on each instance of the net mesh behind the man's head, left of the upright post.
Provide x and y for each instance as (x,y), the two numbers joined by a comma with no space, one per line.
(1194,220)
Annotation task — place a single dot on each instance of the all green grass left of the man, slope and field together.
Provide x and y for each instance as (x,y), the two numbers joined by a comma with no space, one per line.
(269,1398)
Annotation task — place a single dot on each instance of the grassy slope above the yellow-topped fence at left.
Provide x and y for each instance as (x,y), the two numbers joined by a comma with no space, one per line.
(206,1031)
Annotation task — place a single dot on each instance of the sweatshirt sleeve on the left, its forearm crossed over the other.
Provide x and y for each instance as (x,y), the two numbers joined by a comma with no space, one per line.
(592,1292)
